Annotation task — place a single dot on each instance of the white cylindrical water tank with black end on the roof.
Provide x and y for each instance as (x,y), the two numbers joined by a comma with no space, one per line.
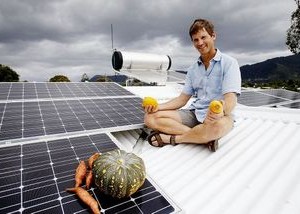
(130,60)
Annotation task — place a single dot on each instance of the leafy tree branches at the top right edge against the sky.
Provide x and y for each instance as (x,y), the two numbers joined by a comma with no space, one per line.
(293,33)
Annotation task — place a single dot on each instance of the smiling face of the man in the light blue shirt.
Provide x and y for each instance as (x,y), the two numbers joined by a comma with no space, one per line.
(204,42)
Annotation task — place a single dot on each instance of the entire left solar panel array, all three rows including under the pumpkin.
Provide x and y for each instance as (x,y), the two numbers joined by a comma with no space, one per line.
(47,128)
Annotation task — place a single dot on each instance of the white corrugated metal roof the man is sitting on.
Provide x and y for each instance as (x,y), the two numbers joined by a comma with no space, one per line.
(255,170)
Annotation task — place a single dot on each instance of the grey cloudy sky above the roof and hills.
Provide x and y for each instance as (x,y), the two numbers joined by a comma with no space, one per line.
(42,38)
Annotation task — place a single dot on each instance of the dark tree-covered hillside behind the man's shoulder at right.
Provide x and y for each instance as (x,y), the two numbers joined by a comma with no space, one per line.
(279,68)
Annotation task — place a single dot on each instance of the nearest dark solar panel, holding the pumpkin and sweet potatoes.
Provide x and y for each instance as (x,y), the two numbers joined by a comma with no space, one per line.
(33,179)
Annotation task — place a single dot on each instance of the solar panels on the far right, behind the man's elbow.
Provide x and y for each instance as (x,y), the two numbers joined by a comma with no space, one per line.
(270,97)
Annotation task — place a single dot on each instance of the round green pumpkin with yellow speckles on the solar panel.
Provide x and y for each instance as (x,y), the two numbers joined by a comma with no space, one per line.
(118,173)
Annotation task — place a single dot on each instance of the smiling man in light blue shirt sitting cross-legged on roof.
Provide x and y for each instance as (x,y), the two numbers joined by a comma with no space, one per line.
(215,76)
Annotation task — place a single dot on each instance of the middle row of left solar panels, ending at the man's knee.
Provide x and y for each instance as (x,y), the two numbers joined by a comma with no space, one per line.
(37,118)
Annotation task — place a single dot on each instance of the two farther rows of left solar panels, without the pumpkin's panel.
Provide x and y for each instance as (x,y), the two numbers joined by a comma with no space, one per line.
(42,109)
